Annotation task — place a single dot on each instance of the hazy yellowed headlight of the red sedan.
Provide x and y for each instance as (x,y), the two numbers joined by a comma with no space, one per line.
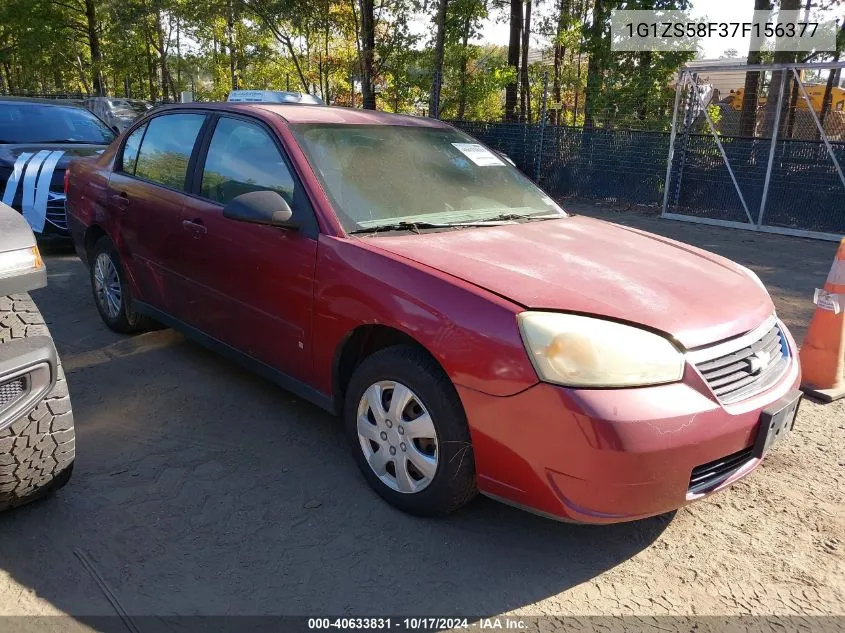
(580,351)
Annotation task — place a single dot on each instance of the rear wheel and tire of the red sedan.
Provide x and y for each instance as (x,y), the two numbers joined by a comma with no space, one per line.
(111,291)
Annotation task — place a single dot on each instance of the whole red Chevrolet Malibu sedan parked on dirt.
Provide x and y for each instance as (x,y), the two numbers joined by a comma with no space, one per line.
(474,336)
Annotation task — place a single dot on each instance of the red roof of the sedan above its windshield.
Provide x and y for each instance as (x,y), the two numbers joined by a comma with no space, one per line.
(296,113)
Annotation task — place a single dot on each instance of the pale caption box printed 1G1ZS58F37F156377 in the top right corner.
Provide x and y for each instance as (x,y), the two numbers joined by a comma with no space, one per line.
(722,27)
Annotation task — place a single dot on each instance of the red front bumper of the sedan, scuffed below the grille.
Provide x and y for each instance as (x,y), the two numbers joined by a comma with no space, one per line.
(605,456)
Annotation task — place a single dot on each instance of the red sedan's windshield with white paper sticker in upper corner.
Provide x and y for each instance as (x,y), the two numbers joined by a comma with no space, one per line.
(384,175)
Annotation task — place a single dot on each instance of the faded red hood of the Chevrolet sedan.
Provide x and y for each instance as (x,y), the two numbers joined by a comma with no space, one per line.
(580,264)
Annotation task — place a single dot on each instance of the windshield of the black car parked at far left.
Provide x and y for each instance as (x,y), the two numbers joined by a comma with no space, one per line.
(41,123)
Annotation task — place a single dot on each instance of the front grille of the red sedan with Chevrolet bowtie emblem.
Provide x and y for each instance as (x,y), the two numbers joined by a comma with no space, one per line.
(748,370)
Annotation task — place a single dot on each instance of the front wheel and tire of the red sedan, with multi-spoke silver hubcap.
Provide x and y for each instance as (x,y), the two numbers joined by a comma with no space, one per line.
(409,433)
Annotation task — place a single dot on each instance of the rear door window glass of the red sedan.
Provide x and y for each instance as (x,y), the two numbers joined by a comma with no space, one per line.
(167,147)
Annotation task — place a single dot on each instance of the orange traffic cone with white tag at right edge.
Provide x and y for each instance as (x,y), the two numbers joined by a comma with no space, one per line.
(823,353)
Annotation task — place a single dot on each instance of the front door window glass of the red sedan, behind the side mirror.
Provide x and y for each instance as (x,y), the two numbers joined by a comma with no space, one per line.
(242,157)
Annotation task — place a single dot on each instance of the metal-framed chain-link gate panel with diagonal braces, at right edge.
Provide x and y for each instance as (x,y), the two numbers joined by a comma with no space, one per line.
(761,149)
